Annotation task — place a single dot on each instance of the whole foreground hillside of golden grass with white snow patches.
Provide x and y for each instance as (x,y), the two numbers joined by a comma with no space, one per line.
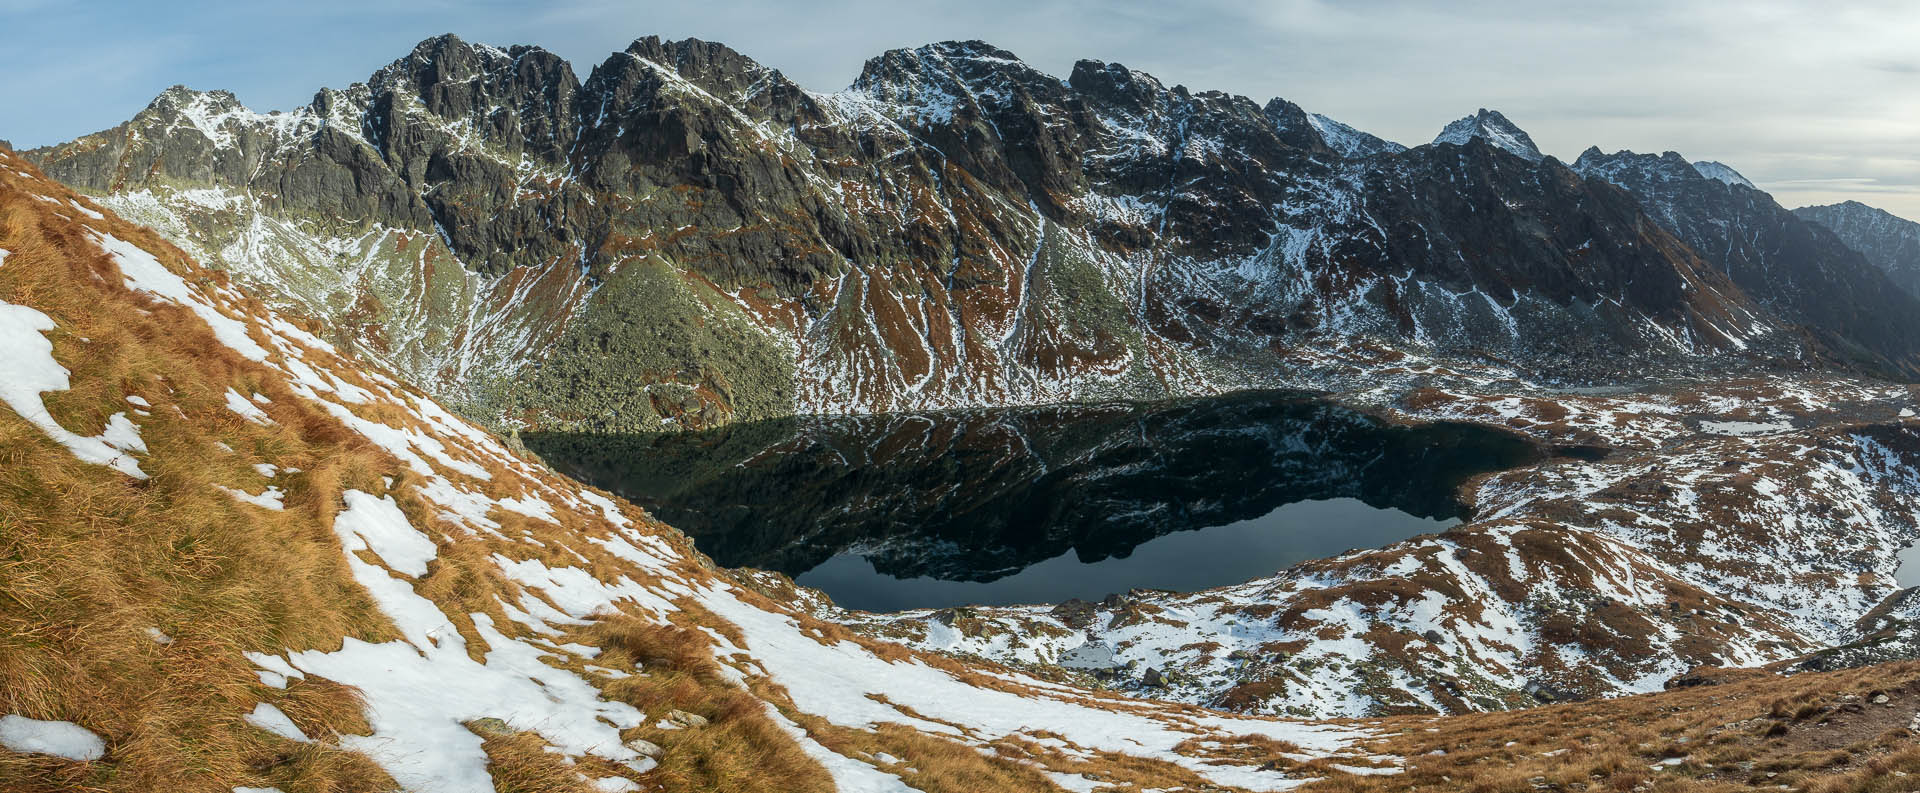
(235,560)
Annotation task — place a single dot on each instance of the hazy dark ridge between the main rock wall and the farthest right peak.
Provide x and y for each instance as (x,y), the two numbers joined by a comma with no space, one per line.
(1790,268)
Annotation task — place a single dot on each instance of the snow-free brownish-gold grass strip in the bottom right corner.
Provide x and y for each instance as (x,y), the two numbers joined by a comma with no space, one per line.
(1813,733)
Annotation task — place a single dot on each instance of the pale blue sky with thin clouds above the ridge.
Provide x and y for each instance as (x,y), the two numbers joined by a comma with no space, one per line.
(1810,101)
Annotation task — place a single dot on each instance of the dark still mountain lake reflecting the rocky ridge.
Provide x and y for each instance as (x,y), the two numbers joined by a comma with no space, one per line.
(1045,504)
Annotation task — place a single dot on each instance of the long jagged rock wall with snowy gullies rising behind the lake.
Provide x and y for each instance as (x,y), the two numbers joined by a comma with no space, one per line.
(688,239)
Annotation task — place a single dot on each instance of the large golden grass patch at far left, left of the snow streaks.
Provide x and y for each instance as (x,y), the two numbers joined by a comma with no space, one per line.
(91,560)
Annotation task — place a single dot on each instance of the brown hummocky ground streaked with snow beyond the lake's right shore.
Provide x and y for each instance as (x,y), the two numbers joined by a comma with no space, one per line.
(1733,525)
